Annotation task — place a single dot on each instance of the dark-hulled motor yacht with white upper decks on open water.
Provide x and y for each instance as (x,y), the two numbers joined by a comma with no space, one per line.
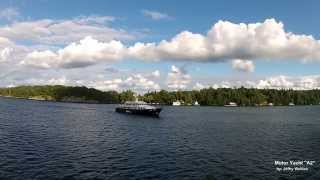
(138,107)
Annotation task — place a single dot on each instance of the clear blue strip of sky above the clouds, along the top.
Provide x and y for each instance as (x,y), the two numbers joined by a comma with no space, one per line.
(298,16)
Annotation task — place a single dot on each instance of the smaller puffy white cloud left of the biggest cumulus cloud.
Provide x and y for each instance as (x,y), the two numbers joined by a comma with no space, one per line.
(88,51)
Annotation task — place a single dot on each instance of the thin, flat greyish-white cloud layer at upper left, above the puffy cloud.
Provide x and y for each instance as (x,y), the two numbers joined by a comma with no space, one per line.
(51,31)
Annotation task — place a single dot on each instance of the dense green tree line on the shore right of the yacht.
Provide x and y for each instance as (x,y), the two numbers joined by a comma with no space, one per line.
(241,96)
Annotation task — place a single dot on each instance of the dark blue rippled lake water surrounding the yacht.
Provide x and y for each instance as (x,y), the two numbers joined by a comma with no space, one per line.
(46,140)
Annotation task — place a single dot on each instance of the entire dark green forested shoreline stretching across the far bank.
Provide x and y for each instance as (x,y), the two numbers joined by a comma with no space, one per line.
(206,97)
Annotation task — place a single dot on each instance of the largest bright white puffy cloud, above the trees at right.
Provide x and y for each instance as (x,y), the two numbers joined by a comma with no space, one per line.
(226,40)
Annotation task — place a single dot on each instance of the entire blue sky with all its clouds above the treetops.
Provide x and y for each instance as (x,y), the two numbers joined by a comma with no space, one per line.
(148,45)
